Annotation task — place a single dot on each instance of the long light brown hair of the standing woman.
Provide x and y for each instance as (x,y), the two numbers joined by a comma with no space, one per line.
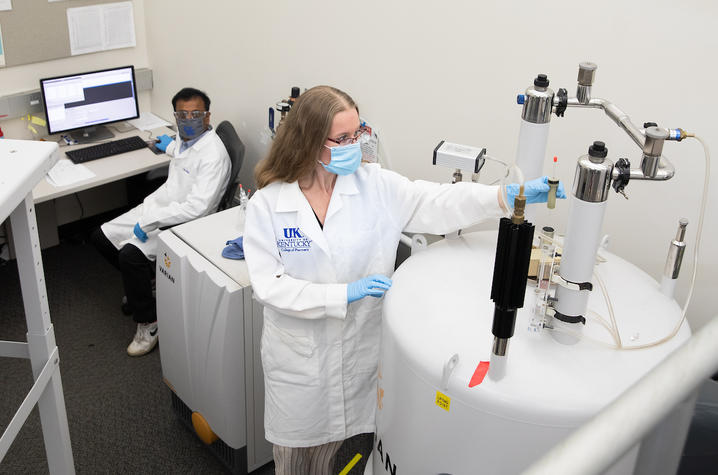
(301,136)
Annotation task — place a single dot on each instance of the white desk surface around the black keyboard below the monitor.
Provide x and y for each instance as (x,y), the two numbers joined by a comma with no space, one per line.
(106,169)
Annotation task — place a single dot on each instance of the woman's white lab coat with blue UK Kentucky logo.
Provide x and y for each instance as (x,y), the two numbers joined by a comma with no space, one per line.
(319,353)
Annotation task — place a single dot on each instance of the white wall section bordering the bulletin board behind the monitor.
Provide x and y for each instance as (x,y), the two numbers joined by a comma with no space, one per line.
(26,77)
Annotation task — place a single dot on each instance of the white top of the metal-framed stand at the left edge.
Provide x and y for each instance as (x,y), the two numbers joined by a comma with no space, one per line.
(24,163)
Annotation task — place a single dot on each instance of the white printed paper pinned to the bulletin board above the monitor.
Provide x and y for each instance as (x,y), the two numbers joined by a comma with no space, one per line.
(101,27)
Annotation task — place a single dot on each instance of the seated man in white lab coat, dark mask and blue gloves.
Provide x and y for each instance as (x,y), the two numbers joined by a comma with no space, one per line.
(197,177)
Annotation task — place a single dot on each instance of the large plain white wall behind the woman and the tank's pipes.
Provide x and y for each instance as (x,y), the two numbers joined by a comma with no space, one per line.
(426,71)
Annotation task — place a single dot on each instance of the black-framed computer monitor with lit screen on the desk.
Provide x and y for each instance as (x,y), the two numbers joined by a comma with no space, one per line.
(83,103)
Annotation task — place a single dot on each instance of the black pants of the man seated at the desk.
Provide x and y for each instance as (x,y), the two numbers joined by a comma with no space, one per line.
(137,274)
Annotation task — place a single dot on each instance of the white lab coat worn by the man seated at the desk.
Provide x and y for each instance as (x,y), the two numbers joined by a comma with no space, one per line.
(195,183)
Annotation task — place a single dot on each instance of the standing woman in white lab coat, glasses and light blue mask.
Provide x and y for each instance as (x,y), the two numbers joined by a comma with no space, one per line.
(321,237)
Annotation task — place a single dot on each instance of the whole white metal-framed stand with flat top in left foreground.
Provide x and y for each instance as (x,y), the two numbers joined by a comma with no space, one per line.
(24,163)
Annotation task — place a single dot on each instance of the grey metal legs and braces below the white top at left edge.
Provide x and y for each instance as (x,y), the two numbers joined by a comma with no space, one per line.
(40,348)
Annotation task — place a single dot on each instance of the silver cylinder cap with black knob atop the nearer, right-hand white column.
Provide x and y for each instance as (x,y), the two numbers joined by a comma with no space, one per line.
(592,180)
